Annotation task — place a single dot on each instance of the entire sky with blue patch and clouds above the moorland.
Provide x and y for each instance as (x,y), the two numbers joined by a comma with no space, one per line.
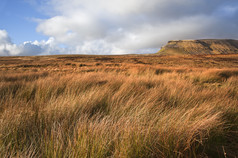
(47,27)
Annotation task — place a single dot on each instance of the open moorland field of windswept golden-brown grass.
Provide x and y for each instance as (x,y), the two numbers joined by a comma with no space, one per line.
(119,106)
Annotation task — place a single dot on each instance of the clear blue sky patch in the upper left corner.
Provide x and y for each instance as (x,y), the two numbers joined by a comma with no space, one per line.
(17,18)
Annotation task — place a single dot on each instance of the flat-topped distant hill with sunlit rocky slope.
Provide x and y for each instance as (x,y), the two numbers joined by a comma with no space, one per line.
(200,47)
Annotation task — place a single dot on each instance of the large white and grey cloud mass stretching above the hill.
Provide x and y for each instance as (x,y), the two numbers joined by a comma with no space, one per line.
(133,26)
